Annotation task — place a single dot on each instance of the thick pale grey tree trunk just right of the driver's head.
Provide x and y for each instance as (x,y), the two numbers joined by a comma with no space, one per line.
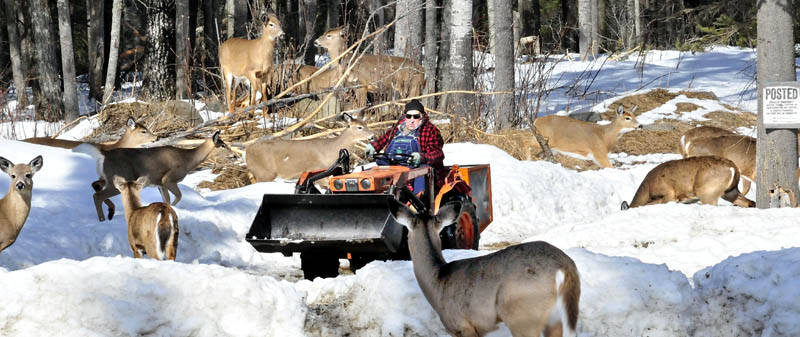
(460,60)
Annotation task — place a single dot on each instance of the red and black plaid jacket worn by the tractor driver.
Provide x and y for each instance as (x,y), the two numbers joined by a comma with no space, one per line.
(430,143)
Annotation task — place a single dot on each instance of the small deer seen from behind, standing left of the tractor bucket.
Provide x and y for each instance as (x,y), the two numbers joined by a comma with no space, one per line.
(152,229)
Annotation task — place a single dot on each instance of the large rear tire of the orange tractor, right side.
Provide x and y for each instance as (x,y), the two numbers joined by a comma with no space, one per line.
(463,233)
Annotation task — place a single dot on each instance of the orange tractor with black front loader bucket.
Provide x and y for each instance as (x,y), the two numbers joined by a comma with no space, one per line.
(350,219)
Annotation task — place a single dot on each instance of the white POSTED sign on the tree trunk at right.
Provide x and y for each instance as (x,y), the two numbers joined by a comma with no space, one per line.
(781,105)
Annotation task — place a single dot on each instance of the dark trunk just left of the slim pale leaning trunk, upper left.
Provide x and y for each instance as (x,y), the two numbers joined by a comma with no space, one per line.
(96,12)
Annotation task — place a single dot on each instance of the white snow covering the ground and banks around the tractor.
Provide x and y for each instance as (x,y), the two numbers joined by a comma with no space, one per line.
(665,270)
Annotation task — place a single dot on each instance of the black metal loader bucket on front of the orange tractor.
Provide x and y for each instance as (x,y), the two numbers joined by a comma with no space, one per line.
(342,223)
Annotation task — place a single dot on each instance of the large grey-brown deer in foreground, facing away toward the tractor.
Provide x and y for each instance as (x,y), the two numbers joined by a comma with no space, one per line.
(534,287)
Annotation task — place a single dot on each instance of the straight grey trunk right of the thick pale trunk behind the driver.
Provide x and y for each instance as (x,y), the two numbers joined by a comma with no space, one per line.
(504,64)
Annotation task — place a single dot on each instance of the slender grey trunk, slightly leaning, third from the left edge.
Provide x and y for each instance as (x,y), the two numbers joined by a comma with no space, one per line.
(71,110)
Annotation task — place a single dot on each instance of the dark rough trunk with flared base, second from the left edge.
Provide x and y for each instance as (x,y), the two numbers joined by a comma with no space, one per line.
(46,61)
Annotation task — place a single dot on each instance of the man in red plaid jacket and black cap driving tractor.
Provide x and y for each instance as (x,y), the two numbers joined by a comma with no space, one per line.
(414,141)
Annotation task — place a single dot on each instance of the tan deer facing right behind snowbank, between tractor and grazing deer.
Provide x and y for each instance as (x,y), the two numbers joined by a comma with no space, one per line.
(585,140)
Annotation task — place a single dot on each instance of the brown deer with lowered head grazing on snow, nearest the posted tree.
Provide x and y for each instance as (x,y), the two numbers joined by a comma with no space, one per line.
(707,178)
